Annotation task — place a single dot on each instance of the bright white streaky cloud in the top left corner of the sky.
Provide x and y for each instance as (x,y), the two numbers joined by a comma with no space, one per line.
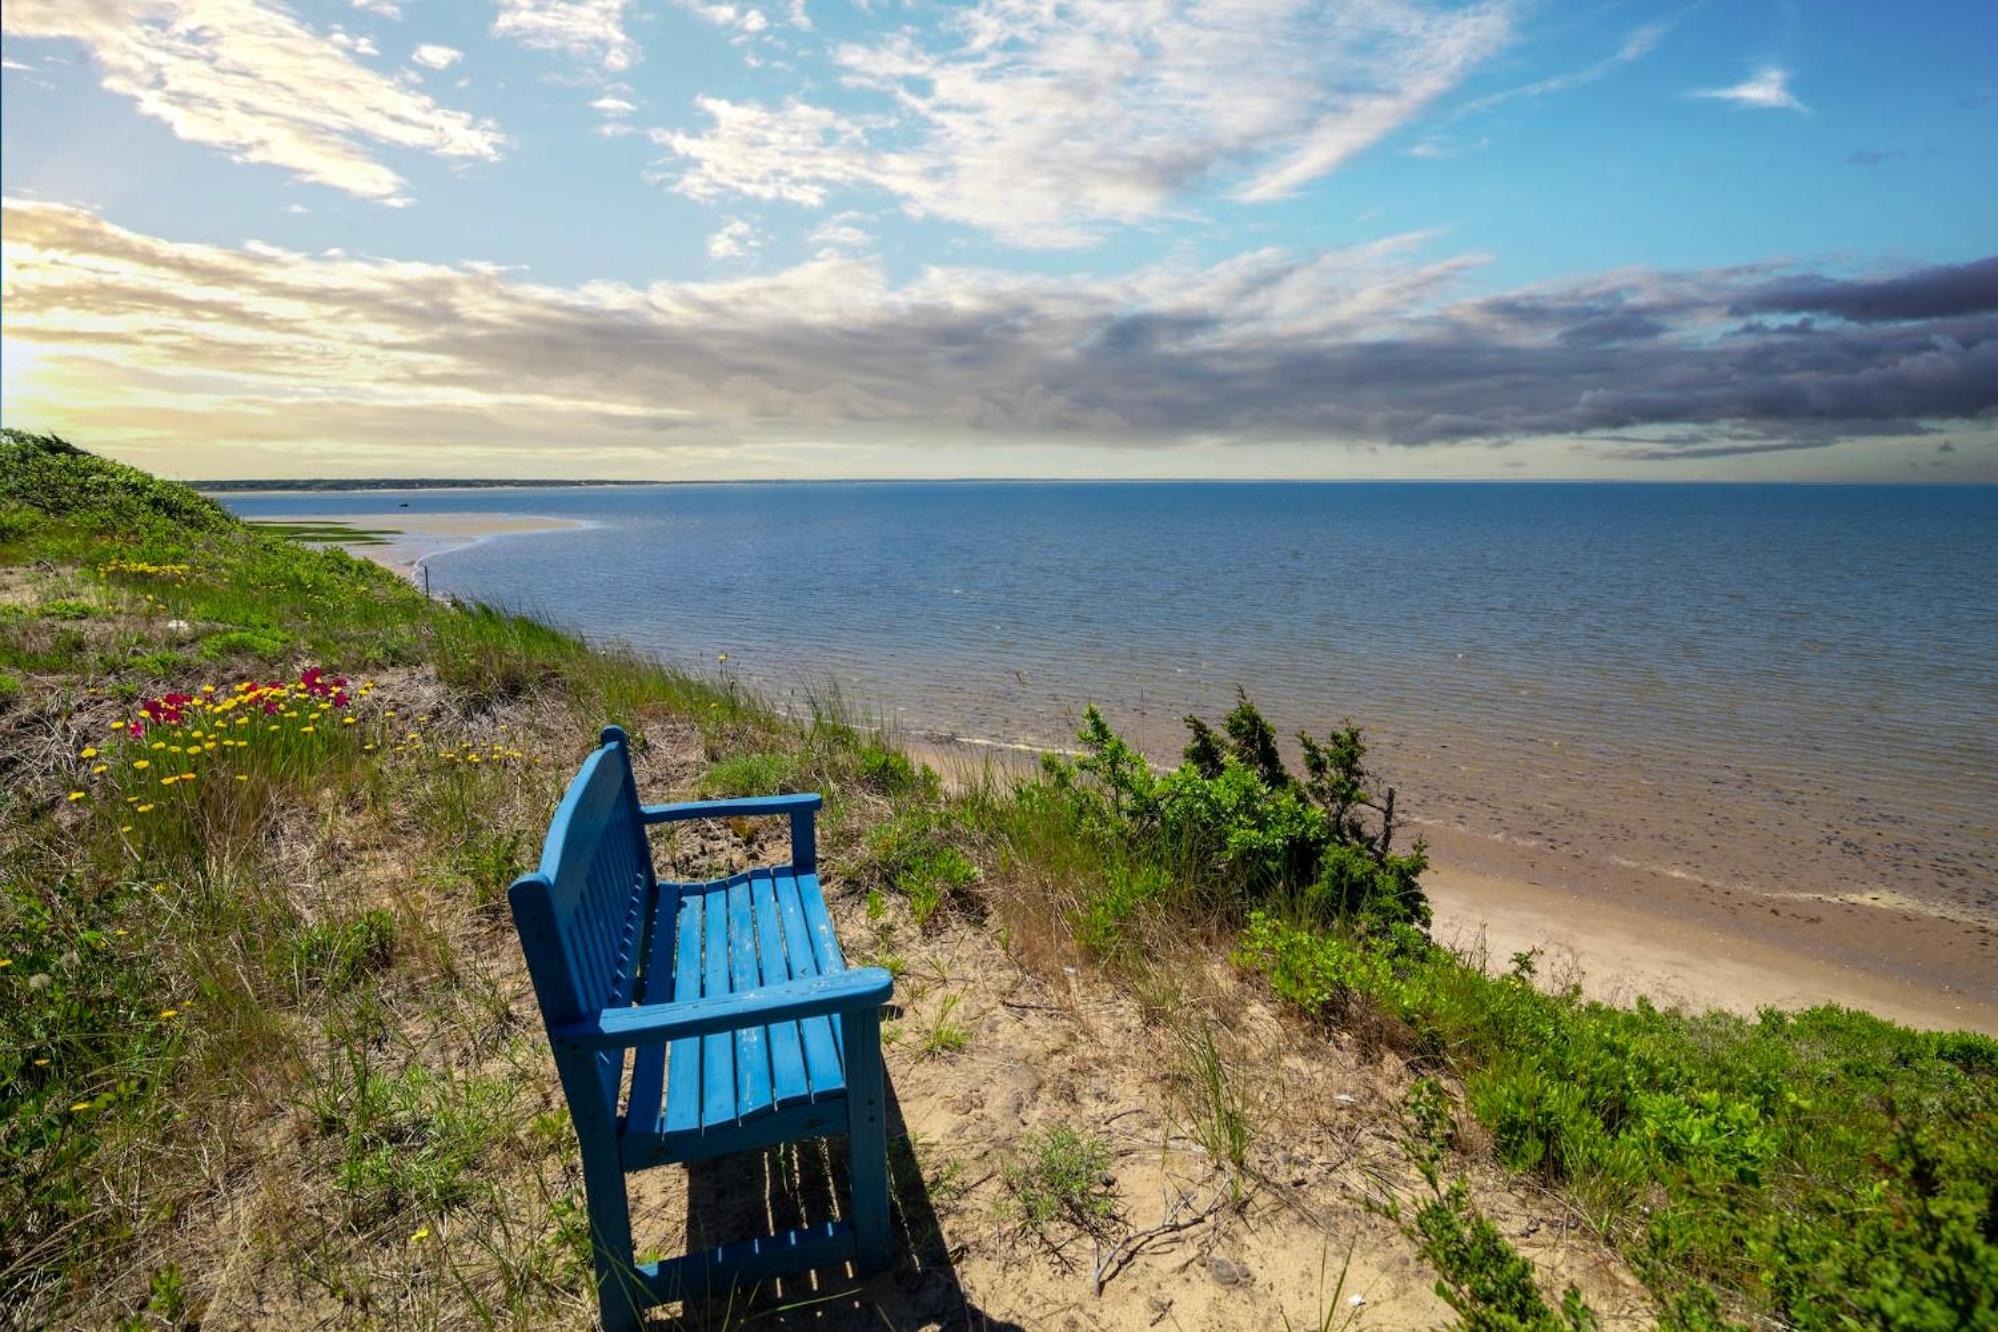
(259,85)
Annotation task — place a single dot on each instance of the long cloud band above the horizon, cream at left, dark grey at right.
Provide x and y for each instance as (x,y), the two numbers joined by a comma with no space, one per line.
(1370,344)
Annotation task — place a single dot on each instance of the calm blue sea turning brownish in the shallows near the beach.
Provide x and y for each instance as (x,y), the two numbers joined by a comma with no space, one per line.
(1793,686)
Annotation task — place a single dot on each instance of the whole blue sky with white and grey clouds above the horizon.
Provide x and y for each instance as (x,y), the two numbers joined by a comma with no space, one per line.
(1034,239)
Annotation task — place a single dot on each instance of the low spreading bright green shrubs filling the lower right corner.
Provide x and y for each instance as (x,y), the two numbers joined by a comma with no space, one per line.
(1827,1169)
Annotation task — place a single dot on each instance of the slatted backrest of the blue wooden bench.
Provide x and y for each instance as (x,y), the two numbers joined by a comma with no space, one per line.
(582,916)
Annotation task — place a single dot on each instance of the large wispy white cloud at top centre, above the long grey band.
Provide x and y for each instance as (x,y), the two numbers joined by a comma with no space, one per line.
(1044,123)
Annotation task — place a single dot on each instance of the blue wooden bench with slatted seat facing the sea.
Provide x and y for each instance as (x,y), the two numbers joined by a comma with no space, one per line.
(728,1005)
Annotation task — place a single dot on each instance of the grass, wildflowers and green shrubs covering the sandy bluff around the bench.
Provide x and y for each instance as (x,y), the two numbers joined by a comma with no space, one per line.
(261,1009)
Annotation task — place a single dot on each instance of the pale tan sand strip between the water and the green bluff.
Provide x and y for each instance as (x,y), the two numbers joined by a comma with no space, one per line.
(1627,930)
